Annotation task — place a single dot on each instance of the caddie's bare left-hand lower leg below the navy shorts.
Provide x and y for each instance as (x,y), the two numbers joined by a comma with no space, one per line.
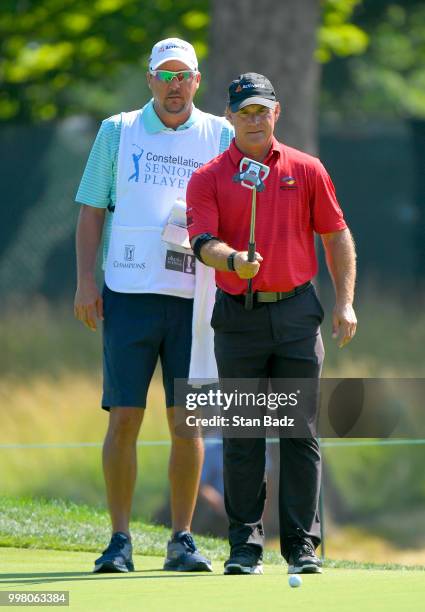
(120,464)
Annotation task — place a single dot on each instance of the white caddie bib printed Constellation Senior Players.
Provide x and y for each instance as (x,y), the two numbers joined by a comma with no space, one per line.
(153,171)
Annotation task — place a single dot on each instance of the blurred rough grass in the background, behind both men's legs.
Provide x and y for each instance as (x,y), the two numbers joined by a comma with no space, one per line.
(50,385)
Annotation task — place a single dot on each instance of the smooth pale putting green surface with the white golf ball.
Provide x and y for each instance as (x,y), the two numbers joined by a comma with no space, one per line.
(150,589)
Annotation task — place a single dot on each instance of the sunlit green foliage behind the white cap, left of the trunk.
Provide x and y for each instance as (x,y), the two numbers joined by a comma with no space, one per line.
(51,48)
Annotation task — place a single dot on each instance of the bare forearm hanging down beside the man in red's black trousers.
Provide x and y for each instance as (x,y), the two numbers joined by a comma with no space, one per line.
(341,261)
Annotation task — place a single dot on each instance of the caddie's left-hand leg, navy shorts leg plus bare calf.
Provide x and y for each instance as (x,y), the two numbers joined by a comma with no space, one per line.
(132,332)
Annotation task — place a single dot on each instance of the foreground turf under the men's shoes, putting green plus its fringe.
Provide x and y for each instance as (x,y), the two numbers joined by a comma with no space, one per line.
(51,545)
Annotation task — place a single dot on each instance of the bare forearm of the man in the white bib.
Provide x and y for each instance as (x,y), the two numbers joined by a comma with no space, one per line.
(88,237)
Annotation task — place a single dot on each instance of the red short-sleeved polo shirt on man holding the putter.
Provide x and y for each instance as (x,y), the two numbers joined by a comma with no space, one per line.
(299,199)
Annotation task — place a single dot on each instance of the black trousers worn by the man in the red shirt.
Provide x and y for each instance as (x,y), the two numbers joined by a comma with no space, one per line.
(277,340)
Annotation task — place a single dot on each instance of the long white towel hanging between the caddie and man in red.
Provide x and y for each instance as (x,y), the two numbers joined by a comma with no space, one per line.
(203,367)
